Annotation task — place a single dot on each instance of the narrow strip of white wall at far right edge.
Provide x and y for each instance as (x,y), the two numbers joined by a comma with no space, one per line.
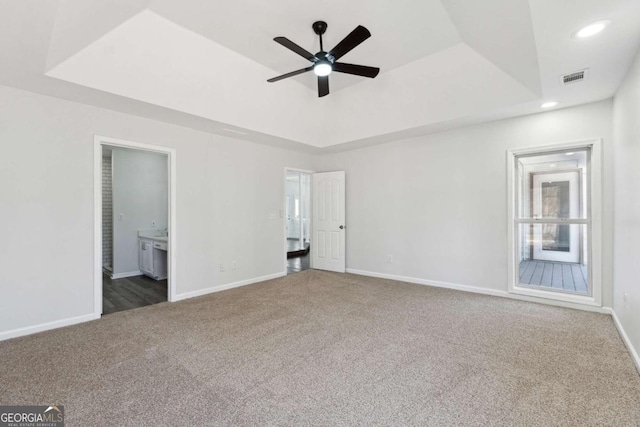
(626,133)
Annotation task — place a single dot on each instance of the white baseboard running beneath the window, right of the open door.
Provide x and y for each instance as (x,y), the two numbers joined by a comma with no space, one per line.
(477,290)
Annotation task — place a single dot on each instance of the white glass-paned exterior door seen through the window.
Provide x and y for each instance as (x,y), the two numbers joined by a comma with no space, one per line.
(556,196)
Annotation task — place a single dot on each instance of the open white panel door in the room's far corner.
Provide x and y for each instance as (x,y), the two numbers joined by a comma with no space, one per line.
(328,251)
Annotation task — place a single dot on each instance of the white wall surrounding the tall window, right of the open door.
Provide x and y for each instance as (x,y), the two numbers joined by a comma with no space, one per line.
(438,203)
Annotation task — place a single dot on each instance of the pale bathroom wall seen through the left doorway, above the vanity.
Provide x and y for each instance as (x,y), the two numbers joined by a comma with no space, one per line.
(140,194)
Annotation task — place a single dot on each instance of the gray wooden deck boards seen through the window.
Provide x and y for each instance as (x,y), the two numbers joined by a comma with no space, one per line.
(556,275)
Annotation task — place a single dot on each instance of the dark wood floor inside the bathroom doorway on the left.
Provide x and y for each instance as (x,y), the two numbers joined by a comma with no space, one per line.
(131,292)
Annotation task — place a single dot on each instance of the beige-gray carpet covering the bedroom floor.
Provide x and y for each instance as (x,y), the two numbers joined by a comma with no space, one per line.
(318,348)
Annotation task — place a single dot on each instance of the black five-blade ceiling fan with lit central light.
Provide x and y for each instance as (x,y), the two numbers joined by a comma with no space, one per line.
(326,62)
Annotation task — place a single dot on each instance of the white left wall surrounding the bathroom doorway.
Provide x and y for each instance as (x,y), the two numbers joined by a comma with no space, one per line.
(226,192)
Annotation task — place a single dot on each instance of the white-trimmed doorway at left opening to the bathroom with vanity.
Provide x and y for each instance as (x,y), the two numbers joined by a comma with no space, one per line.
(134,225)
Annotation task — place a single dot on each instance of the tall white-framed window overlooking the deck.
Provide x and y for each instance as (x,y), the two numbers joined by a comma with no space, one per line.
(553,192)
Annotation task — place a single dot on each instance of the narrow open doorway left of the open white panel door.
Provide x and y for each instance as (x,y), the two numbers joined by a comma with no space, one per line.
(297,218)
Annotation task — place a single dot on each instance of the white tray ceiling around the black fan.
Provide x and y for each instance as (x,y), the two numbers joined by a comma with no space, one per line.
(203,64)
